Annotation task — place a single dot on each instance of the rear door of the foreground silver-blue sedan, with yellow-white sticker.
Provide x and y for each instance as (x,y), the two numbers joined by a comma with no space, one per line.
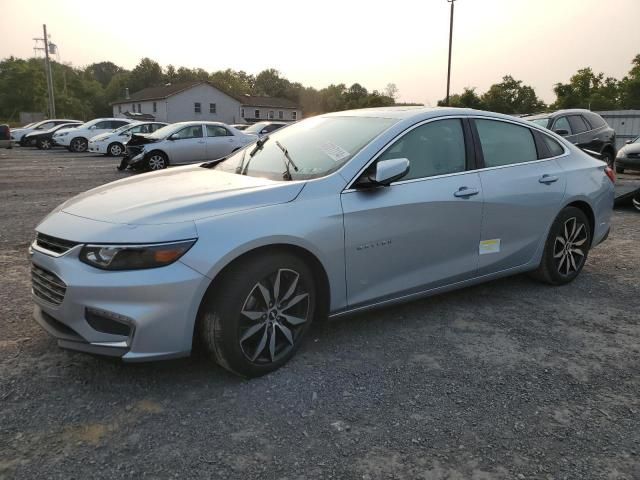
(522,189)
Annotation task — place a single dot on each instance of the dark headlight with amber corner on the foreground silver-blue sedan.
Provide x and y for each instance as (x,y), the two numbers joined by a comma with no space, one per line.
(134,257)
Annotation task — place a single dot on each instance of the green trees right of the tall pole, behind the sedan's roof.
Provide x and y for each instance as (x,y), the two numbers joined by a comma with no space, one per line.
(585,89)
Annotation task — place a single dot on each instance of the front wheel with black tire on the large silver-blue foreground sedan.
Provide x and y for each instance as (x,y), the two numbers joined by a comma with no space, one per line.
(223,328)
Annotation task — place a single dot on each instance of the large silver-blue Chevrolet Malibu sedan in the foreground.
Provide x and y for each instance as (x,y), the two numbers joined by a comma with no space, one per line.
(335,214)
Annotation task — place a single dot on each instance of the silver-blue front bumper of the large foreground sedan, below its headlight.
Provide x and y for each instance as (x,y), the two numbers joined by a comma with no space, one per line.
(157,308)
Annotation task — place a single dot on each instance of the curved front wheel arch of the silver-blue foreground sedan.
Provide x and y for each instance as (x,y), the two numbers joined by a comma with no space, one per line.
(319,272)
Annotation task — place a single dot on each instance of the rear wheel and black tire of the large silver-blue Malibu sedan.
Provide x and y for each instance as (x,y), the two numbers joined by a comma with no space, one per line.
(559,266)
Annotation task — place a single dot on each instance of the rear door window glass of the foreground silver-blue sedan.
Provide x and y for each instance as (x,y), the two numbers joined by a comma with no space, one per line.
(505,143)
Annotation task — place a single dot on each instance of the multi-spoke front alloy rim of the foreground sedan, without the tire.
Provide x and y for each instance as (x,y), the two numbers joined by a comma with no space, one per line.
(272,316)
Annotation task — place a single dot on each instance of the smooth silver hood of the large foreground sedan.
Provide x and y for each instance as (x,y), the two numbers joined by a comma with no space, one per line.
(178,195)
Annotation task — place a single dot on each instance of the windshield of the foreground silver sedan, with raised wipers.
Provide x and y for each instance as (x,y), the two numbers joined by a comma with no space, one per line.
(318,146)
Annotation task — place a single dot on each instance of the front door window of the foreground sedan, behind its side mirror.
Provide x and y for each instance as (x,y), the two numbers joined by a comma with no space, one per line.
(435,148)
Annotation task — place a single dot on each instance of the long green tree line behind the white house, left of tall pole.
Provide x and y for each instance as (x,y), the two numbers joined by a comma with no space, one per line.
(88,92)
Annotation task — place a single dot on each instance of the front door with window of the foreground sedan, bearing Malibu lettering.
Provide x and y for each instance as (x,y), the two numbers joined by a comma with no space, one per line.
(422,231)
